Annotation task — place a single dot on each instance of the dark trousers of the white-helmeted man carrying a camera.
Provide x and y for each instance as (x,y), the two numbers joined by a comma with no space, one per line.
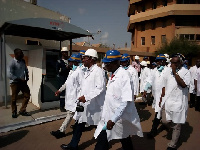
(77,133)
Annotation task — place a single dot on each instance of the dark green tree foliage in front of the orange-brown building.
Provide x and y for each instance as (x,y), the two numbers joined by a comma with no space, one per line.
(188,48)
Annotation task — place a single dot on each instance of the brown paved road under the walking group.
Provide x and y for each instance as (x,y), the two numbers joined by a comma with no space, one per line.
(38,137)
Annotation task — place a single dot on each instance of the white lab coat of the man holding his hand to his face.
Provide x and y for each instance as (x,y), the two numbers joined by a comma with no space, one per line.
(176,97)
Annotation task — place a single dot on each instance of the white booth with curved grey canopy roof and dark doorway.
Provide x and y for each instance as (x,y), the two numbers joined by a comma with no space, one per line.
(40,60)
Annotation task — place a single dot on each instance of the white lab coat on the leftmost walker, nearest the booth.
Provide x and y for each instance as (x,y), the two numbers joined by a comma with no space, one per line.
(72,88)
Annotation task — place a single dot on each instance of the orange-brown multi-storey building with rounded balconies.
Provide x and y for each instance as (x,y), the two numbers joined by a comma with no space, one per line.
(163,21)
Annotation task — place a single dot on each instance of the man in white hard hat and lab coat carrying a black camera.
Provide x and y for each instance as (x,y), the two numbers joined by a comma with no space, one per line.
(92,97)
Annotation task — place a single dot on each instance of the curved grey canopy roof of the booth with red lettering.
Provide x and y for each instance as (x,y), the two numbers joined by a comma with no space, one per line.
(43,28)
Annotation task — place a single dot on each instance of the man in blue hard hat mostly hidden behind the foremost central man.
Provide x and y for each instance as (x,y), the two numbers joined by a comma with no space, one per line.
(125,62)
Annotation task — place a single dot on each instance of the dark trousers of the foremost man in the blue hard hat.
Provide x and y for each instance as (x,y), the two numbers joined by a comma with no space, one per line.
(102,142)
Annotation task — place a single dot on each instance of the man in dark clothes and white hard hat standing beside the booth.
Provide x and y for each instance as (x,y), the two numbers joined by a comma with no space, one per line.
(62,69)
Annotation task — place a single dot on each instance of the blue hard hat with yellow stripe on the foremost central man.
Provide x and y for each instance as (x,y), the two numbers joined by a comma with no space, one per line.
(111,55)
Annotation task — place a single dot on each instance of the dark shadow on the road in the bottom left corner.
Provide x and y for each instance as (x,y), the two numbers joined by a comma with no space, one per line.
(12,137)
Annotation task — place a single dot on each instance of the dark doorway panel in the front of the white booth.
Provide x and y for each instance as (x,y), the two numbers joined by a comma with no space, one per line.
(49,80)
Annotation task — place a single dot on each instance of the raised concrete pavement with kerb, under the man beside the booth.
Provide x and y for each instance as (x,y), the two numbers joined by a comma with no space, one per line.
(38,116)
